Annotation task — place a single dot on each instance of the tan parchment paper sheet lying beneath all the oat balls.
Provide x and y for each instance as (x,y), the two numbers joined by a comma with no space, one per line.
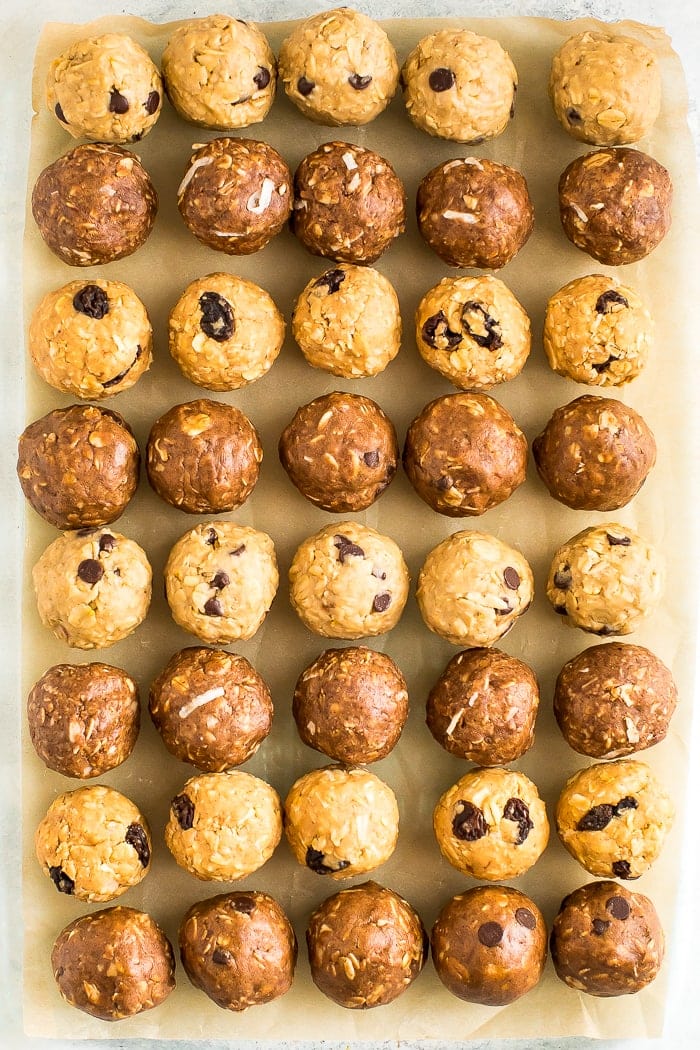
(418,770)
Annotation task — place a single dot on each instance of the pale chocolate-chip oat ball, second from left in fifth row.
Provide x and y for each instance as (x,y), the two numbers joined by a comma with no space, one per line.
(221,580)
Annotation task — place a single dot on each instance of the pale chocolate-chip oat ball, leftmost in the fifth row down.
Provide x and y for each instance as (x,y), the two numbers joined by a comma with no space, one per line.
(93,587)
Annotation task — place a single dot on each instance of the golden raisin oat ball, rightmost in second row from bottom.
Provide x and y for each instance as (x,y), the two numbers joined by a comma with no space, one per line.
(614,817)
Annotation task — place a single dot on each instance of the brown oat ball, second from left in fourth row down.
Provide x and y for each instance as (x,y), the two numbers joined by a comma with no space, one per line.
(204,457)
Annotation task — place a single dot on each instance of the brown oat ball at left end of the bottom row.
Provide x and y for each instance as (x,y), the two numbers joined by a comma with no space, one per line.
(114,964)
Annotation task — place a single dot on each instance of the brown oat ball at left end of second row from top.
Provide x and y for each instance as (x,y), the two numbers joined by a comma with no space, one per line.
(95,205)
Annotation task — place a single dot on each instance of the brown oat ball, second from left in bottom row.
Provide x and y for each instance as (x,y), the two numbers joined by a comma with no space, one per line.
(239,949)
